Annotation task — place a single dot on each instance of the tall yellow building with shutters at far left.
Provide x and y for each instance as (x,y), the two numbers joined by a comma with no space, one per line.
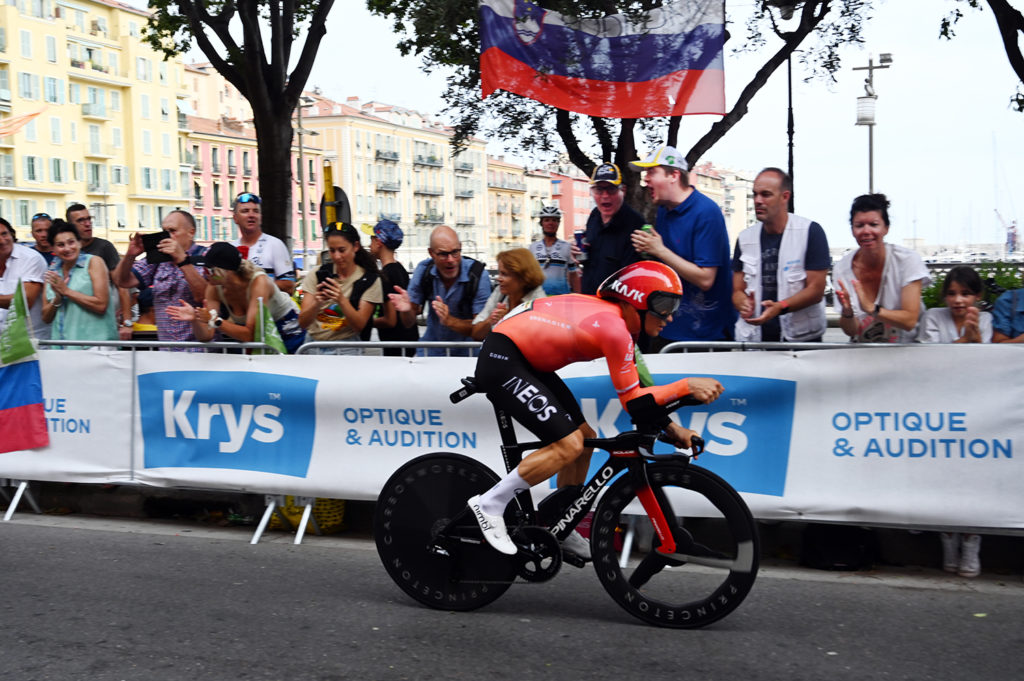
(108,125)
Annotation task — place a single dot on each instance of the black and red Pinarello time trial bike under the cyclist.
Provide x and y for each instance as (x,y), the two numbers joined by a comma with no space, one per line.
(701,565)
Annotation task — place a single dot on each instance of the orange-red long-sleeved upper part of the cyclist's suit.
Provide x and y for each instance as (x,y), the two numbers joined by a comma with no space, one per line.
(558,331)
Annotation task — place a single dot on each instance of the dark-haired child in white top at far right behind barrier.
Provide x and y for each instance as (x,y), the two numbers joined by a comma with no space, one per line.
(959,322)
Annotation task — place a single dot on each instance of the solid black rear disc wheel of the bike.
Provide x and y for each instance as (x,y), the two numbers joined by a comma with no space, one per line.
(429,541)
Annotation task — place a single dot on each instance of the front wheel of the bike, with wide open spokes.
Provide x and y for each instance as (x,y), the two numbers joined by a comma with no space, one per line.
(716,559)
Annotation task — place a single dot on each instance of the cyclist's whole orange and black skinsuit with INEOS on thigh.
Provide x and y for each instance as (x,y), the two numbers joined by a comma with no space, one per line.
(519,360)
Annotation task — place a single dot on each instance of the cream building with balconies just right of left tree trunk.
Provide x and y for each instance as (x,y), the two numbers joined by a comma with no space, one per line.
(398,164)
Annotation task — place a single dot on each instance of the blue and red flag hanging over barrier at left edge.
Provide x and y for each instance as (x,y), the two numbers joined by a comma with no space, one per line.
(23,422)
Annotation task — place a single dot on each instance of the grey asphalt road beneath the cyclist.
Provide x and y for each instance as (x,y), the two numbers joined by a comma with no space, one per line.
(105,601)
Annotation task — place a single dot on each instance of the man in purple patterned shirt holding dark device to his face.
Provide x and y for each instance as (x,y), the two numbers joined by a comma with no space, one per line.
(177,279)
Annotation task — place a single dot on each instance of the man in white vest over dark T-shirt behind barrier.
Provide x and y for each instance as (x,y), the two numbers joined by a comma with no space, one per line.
(780,269)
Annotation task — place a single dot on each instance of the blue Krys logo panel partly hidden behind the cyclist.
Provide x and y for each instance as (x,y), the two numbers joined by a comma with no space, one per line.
(747,431)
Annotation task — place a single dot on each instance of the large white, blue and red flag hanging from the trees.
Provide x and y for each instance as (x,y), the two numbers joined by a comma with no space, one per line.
(667,63)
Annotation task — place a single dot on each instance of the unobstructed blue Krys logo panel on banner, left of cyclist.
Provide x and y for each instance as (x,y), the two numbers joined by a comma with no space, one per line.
(238,420)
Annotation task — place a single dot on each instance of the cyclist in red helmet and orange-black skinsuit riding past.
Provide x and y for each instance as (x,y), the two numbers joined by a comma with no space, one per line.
(517,369)
